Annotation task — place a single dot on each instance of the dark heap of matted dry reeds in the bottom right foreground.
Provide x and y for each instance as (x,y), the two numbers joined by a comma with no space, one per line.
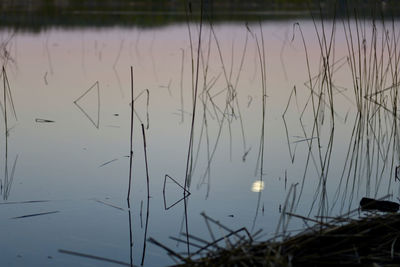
(369,241)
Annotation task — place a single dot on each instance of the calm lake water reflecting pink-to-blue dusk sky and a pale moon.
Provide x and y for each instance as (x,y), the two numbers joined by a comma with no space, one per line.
(68,143)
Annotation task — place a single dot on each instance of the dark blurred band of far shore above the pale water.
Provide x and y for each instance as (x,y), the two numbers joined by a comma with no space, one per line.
(35,15)
